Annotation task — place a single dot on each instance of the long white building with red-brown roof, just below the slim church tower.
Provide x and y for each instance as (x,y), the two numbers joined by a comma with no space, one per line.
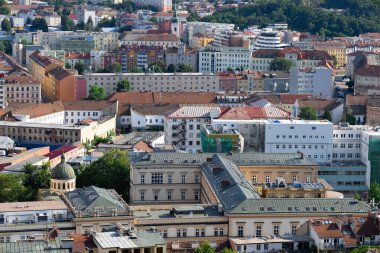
(161,40)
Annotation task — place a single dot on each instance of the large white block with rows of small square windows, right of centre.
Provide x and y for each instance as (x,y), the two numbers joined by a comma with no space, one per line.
(313,138)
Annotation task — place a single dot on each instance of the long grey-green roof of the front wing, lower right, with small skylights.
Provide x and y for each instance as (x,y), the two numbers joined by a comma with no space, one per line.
(298,205)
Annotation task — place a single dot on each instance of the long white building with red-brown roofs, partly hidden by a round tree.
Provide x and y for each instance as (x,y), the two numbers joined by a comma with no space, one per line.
(262,58)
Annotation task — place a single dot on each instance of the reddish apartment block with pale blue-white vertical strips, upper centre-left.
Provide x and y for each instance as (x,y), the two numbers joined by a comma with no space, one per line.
(139,56)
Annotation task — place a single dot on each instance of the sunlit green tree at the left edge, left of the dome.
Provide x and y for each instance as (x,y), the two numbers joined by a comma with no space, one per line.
(12,189)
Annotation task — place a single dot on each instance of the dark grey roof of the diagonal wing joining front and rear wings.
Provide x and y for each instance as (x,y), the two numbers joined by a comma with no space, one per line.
(228,182)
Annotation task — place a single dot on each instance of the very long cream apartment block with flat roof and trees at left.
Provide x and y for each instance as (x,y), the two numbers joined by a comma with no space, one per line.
(155,82)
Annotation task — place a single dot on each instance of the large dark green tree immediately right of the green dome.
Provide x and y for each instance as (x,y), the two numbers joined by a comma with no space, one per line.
(111,172)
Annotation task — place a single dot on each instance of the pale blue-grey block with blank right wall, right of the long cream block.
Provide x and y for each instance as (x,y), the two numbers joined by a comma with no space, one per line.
(317,81)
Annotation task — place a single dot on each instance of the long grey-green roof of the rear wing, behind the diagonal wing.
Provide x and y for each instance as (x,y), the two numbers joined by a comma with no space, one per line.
(257,159)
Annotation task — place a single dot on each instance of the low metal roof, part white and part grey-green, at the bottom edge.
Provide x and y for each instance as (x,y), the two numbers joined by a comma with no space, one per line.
(144,239)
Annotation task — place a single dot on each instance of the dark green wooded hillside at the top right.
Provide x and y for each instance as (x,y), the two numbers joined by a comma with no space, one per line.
(324,17)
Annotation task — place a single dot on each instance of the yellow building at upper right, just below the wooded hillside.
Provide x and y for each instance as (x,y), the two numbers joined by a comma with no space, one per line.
(334,48)
